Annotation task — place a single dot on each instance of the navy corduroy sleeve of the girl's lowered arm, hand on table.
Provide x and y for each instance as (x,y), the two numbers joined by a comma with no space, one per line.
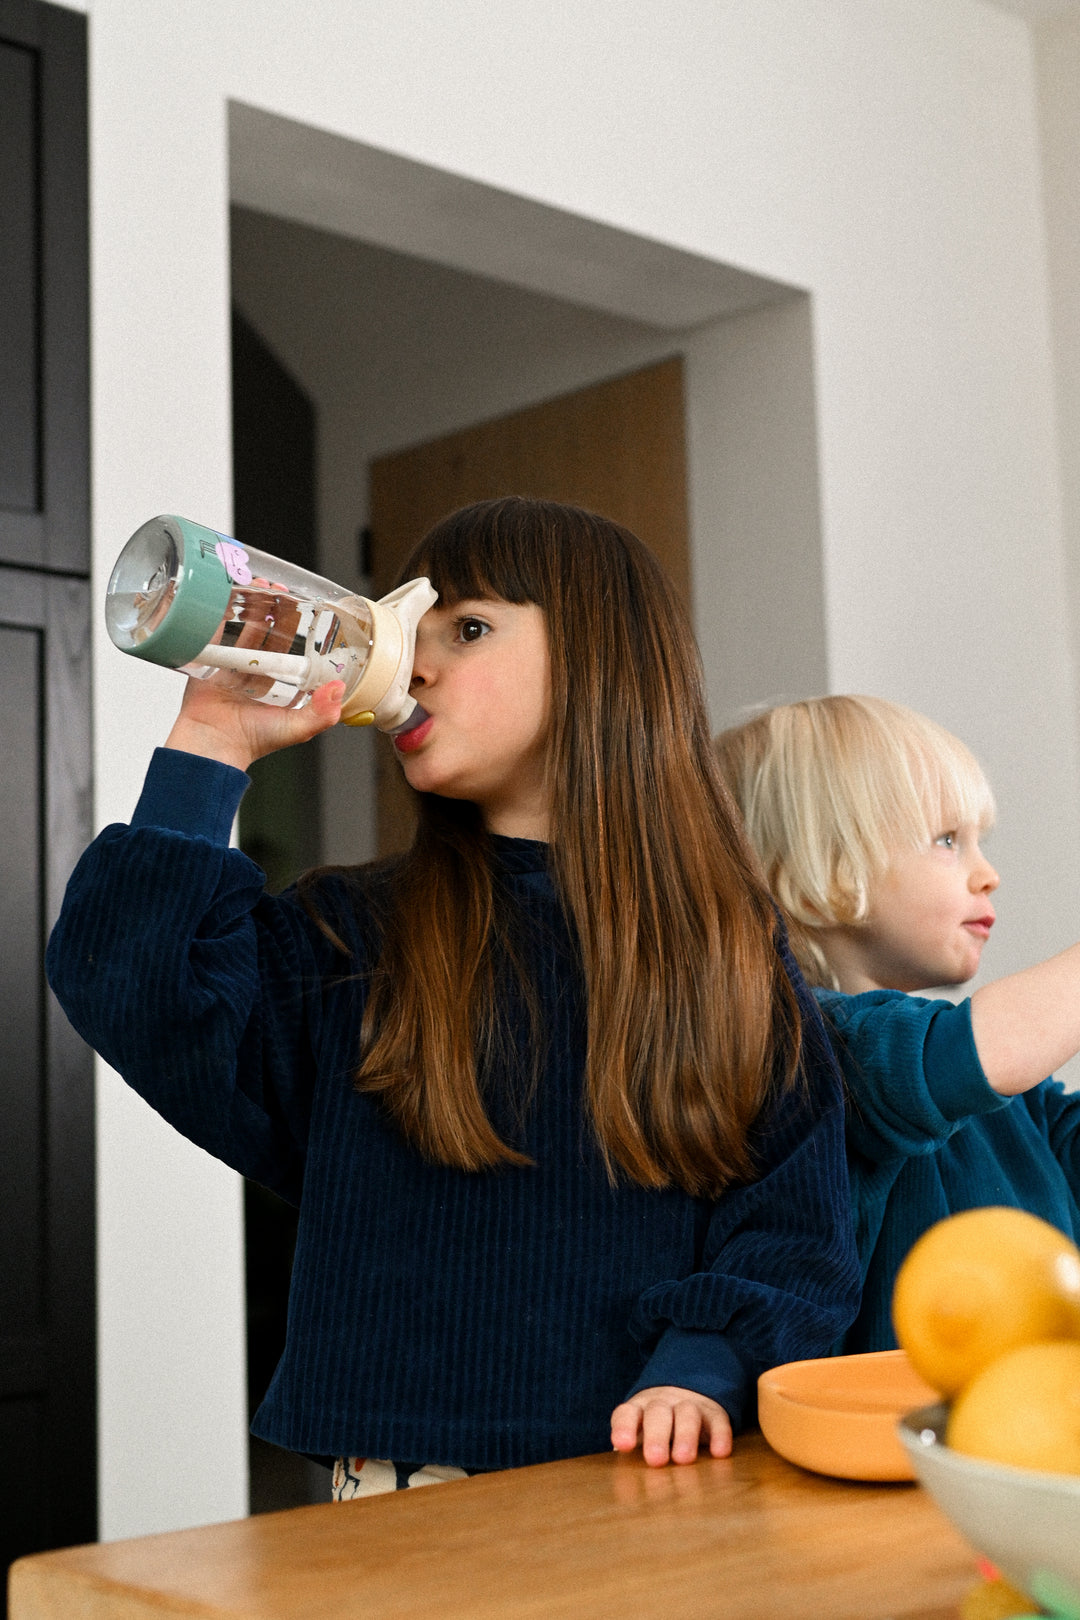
(780,1277)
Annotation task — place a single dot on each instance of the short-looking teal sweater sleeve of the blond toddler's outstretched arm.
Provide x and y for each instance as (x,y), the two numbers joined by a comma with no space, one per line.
(912,1072)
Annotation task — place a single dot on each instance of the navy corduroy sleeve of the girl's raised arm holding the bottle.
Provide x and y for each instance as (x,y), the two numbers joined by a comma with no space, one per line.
(200,992)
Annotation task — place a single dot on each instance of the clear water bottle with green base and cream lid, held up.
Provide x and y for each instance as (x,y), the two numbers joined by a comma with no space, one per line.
(193,600)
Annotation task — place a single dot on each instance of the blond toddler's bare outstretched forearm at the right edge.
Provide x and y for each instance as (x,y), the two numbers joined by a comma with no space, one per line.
(1029,1025)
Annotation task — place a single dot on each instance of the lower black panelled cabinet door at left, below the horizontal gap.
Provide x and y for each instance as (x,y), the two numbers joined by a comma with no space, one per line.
(48,1341)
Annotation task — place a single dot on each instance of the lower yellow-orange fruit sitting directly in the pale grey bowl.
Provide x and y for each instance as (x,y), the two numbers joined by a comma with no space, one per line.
(1024,1410)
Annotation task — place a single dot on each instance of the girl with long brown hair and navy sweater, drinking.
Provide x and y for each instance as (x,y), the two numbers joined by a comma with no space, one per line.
(555,1102)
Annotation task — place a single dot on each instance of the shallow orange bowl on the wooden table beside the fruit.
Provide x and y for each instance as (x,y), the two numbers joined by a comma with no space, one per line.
(840,1415)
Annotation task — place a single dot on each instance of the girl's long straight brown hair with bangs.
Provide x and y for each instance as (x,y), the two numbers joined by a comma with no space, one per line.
(692,1020)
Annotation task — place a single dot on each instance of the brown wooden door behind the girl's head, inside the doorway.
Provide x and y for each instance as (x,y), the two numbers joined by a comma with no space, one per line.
(618,448)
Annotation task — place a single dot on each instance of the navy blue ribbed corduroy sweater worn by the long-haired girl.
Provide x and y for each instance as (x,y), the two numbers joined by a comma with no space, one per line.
(483,1321)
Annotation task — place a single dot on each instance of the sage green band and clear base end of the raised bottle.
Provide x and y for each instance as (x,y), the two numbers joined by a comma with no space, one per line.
(169,590)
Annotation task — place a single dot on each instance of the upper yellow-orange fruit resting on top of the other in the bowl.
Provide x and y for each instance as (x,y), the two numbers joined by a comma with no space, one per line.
(979,1285)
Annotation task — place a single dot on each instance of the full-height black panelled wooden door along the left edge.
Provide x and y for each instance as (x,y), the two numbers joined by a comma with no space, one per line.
(48,1342)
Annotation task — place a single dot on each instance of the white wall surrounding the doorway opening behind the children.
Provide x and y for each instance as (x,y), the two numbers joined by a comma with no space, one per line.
(882,155)
